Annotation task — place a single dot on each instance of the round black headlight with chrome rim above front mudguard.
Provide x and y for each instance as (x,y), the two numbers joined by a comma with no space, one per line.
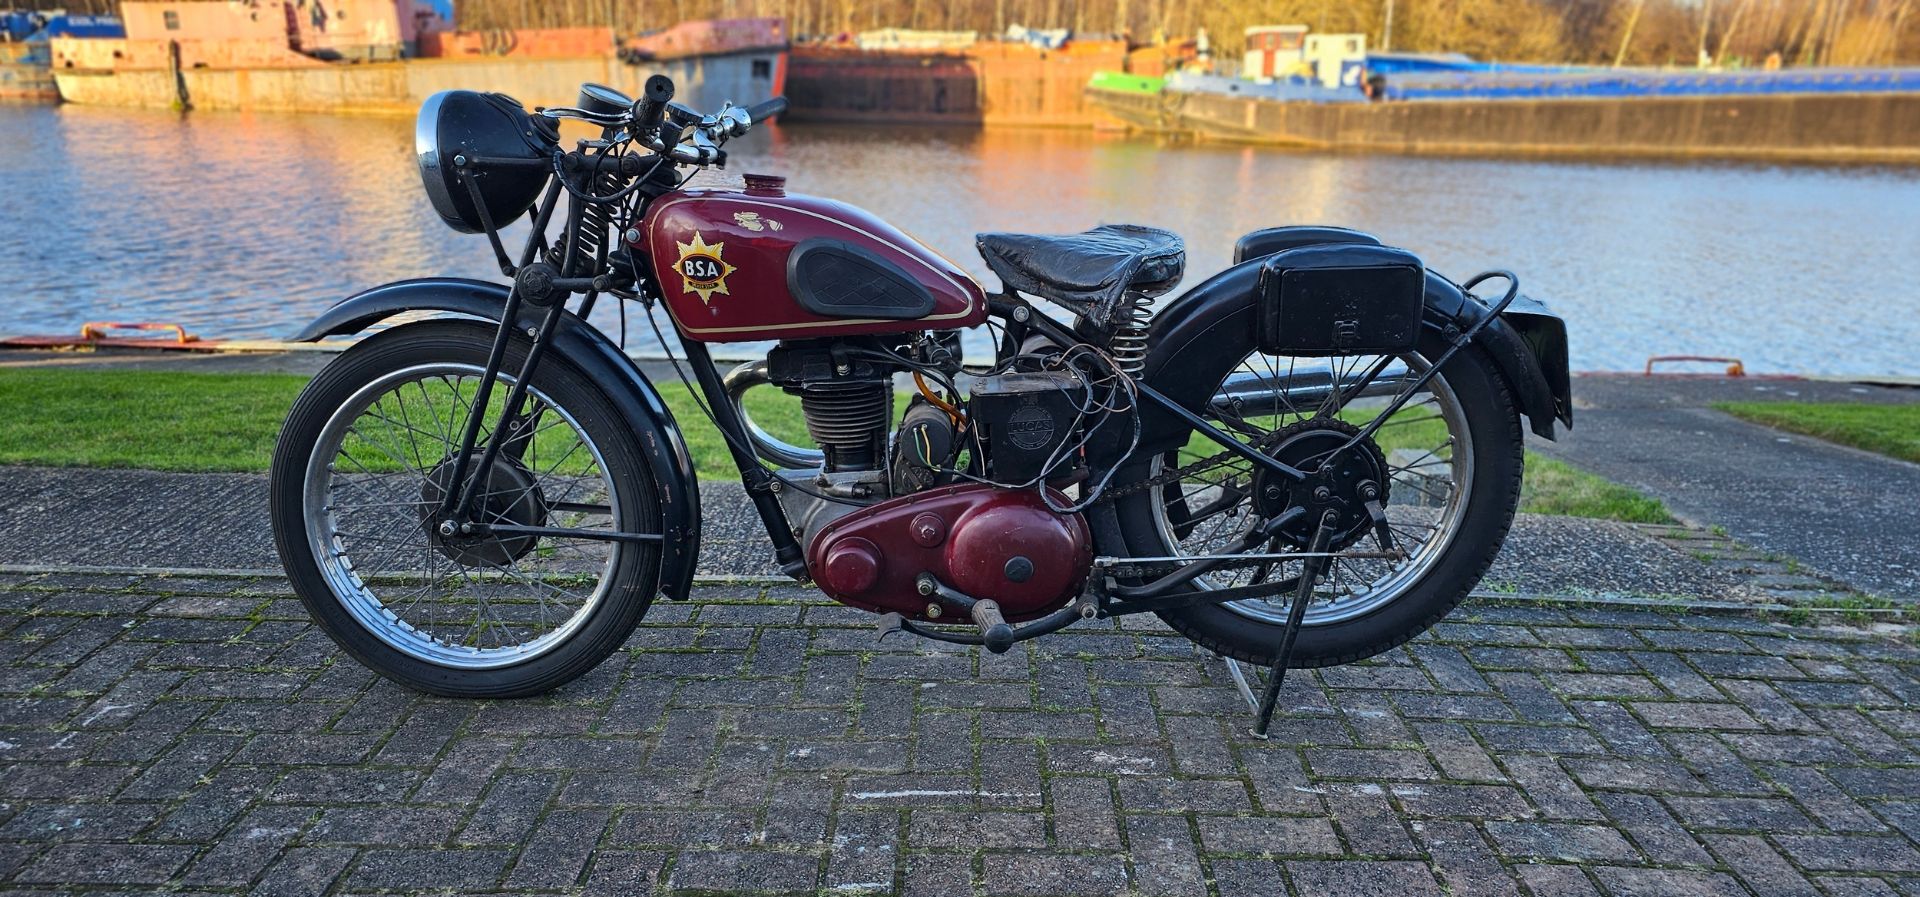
(506,155)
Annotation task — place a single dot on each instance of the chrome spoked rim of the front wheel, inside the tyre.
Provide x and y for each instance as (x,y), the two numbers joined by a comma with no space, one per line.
(366,512)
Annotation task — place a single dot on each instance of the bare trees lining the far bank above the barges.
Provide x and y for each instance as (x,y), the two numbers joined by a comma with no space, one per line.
(1579,32)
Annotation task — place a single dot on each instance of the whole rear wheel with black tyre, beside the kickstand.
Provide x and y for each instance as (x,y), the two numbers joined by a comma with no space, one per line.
(1447,468)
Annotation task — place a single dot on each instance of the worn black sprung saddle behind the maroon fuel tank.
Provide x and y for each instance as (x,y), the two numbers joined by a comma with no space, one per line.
(1090,272)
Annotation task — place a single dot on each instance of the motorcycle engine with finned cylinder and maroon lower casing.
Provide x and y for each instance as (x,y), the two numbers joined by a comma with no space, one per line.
(951,493)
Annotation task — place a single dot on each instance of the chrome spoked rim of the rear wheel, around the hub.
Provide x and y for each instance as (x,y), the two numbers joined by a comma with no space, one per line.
(1441,477)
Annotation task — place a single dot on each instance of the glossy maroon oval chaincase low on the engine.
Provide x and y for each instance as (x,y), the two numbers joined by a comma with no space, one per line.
(982,541)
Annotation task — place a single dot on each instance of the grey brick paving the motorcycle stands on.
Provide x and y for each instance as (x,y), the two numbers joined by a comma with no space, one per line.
(197,737)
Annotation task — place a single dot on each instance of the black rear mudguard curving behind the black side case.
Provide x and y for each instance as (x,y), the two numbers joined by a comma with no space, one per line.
(1203,335)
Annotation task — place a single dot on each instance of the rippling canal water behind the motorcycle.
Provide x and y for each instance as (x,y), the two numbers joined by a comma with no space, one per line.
(247,226)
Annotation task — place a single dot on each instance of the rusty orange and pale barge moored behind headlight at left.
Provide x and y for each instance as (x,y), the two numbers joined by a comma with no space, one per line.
(387,57)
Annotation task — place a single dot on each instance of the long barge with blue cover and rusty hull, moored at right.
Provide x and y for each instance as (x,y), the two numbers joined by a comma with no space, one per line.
(1451,105)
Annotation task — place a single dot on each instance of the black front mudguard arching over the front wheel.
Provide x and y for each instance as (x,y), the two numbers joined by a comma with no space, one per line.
(583,345)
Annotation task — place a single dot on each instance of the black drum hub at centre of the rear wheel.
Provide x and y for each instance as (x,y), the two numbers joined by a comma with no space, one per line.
(1343,485)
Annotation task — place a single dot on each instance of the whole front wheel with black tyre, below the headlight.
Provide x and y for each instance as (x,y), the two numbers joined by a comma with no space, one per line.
(356,491)
